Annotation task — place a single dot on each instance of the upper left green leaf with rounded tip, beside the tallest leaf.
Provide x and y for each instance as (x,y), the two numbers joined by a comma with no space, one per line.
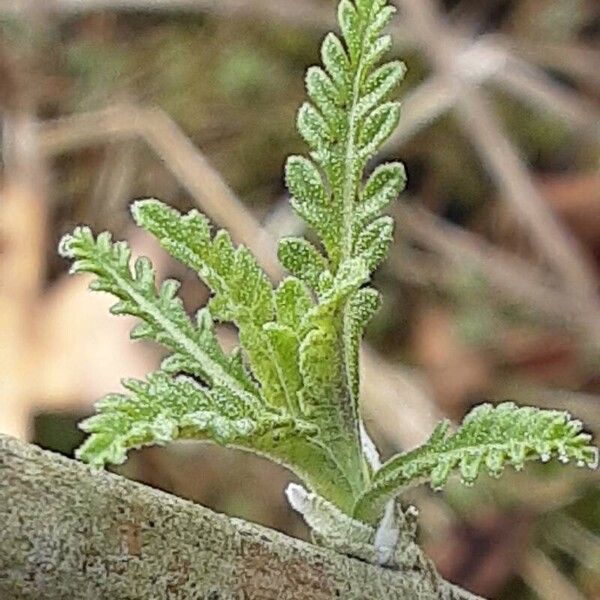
(242,294)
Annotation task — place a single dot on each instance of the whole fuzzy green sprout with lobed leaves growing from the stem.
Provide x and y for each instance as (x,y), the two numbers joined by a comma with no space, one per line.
(291,392)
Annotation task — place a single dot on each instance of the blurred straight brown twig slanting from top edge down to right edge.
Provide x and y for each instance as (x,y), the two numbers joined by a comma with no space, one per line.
(445,50)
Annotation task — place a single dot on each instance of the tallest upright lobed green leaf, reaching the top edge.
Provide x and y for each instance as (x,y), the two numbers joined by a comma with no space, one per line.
(346,120)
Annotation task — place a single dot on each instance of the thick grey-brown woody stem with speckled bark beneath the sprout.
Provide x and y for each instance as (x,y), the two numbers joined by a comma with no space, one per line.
(68,532)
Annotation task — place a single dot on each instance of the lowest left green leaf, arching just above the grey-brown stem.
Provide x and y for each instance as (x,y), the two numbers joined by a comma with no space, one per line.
(164,409)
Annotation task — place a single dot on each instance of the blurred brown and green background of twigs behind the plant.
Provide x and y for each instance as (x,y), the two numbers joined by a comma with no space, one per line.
(491,291)
